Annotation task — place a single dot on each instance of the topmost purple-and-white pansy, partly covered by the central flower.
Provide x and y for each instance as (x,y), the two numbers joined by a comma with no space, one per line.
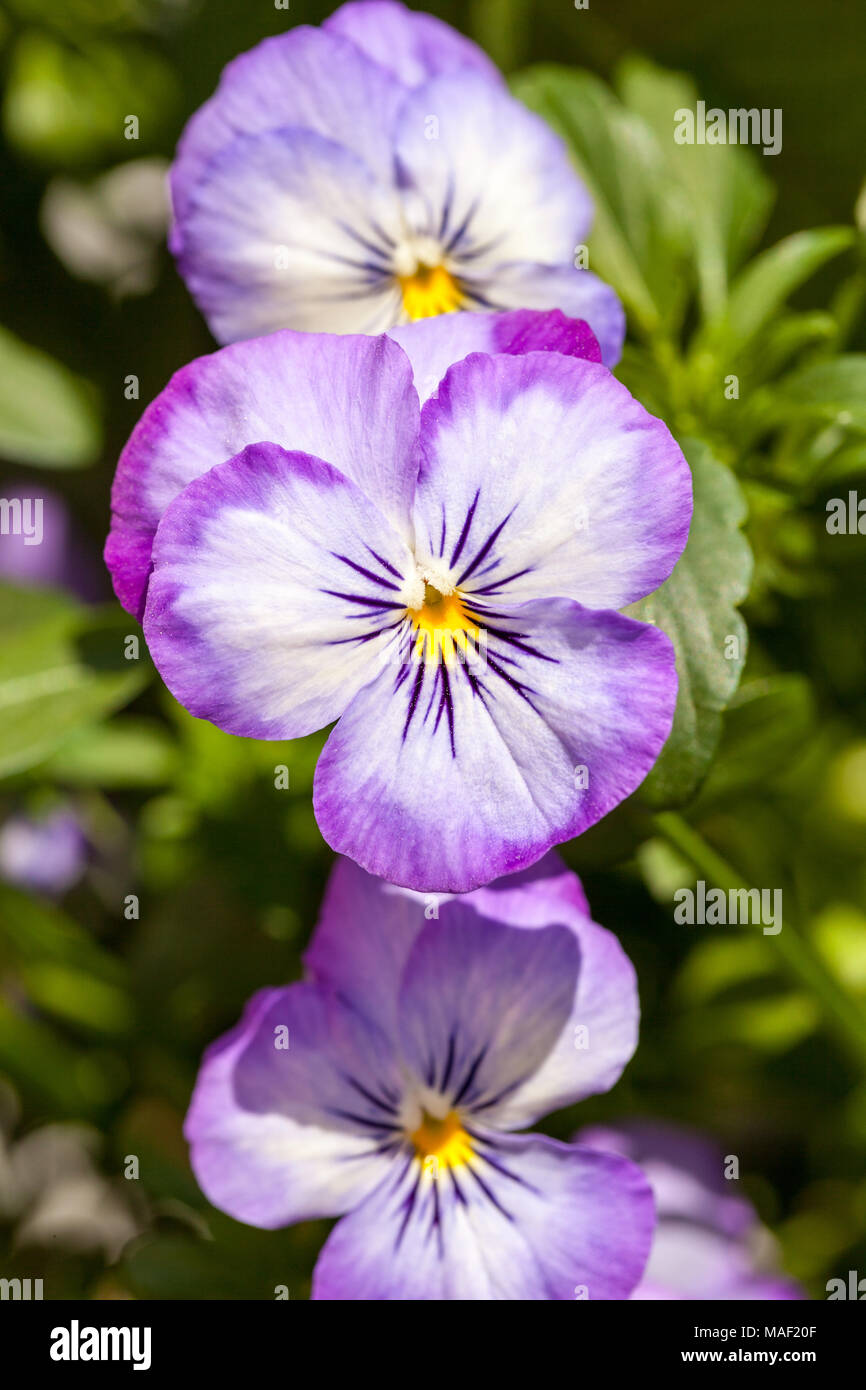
(375,172)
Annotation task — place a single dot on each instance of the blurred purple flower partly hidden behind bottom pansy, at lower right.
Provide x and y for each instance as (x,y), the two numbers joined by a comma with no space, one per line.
(710,1242)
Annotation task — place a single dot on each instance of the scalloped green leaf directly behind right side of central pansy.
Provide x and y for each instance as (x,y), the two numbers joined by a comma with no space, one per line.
(697,607)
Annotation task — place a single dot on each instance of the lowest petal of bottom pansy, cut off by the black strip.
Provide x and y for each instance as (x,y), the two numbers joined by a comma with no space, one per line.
(528,1220)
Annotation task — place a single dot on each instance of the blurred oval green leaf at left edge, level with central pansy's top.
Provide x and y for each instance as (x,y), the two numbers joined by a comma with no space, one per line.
(47,415)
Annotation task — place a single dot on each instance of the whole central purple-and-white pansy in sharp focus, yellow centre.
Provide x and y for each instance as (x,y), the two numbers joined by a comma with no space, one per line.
(444,582)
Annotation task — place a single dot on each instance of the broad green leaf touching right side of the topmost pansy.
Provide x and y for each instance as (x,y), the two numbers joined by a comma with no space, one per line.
(637,241)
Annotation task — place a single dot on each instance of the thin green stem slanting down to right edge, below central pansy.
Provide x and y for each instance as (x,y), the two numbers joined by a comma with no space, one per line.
(803,963)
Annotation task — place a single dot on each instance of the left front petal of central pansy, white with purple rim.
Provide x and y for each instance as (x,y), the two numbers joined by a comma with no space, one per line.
(275,594)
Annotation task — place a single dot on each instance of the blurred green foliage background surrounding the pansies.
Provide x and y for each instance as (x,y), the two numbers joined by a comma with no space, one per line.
(106,1008)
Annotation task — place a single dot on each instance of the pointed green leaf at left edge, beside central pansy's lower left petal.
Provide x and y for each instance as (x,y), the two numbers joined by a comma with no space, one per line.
(62,667)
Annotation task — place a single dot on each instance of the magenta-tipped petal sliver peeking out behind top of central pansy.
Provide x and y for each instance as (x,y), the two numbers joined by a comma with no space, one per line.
(433,345)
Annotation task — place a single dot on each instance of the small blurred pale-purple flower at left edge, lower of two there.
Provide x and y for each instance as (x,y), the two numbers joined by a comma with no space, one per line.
(44,854)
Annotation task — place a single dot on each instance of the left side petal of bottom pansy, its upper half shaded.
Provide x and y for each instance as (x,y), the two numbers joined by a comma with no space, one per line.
(266,1143)
